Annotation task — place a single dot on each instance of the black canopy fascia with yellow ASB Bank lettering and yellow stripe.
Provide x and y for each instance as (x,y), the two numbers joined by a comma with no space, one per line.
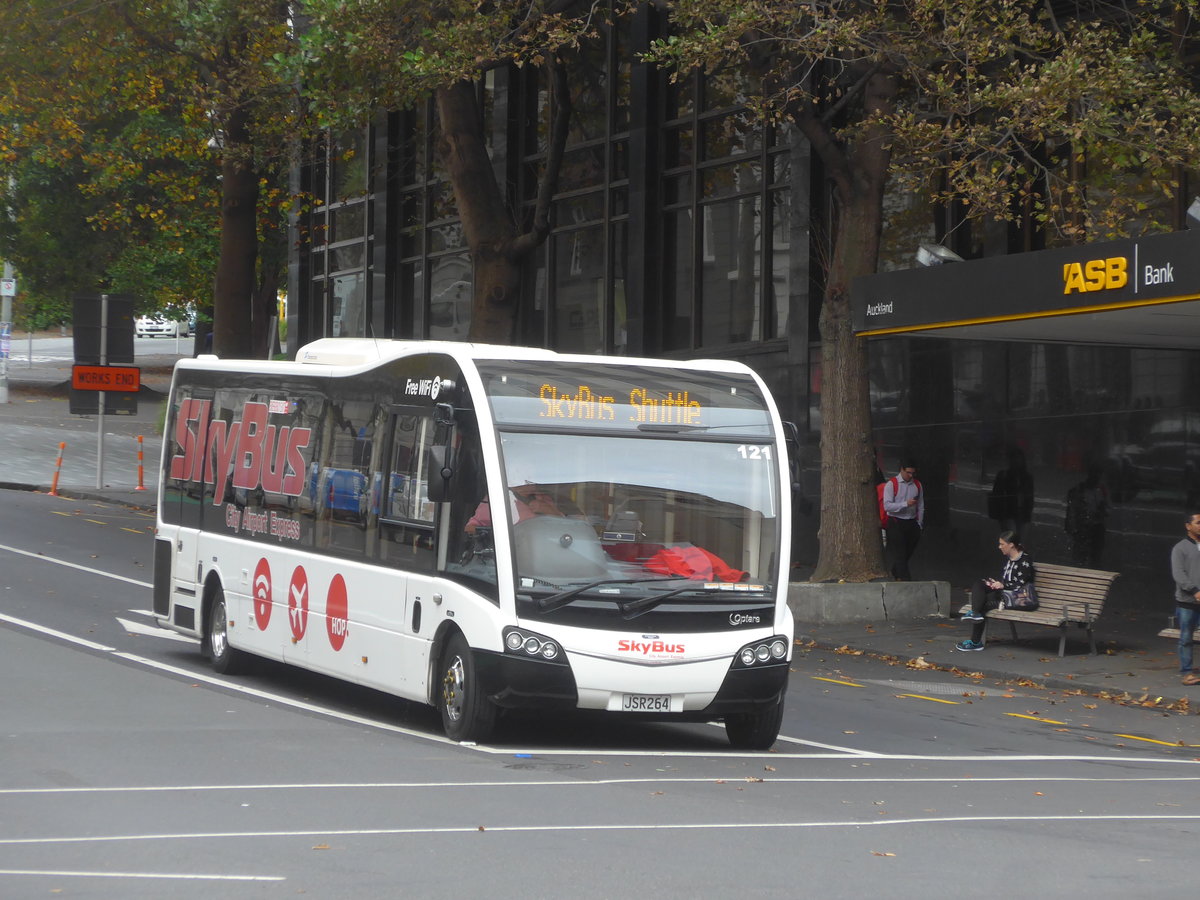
(1157,269)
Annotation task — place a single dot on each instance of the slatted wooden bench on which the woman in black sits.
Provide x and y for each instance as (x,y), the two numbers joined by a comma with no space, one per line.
(1066,597)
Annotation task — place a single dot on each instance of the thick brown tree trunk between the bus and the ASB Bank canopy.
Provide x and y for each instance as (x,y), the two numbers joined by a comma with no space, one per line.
(851,549)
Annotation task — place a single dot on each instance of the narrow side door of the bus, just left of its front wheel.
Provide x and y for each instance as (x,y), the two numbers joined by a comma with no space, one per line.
(407,538)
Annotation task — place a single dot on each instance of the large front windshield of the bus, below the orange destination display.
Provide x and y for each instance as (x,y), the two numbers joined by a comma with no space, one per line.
(589,508)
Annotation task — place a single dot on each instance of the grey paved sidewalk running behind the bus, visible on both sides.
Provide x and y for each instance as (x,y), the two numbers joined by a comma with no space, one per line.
(1135,664)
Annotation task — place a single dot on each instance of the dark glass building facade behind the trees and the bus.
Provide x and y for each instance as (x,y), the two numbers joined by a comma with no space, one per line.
(683,227)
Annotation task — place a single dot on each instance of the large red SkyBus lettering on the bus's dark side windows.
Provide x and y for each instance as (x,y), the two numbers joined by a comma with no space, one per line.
(262,455)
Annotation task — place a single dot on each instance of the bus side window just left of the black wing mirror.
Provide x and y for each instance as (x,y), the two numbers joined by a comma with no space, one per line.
(406,514)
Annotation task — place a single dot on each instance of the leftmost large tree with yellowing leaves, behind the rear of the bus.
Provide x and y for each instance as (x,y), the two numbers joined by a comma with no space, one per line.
(177,118)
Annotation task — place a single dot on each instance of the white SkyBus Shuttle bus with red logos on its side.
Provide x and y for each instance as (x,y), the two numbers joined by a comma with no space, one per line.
(485,529)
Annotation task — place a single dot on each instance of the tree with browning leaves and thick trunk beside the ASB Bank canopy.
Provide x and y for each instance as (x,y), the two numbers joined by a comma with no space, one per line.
(993,107)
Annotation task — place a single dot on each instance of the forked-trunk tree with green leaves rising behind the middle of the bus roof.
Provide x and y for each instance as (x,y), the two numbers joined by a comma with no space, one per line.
(362,59)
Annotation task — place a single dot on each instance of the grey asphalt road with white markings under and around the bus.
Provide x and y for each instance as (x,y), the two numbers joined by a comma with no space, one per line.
(131,771)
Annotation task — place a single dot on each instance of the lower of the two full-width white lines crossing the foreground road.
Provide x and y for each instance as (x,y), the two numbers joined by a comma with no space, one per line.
(622,827)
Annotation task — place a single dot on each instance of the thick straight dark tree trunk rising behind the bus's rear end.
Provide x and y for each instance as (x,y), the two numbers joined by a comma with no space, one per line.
(235,291)
